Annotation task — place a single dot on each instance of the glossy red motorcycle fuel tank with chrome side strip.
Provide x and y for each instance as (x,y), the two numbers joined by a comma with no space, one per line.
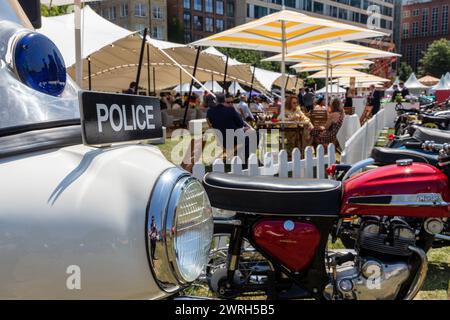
(408,189)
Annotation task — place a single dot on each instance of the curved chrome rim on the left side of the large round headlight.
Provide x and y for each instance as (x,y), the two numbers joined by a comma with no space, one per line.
(160,263)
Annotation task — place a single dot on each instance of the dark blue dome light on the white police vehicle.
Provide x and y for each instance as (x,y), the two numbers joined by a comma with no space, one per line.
(39,64)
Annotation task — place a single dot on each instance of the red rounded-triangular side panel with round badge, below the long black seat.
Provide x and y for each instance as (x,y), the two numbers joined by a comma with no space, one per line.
(291,243)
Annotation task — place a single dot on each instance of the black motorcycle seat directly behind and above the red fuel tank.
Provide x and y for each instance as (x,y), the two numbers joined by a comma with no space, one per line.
(386,156)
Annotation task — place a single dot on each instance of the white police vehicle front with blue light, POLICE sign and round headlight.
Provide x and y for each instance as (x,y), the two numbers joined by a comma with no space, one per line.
(81,215)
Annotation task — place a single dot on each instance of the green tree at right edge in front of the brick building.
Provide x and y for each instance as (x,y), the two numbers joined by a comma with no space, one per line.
(436,59)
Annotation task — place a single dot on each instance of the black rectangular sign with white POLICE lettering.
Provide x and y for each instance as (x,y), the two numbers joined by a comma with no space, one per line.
(107,118)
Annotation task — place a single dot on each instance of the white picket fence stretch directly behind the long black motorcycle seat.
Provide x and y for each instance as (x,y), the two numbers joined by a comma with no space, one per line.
(311,166)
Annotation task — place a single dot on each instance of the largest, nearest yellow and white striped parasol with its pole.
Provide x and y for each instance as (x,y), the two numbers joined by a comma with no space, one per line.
(285,32)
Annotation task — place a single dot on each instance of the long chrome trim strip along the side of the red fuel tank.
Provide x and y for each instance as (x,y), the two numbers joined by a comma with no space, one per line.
(408,200)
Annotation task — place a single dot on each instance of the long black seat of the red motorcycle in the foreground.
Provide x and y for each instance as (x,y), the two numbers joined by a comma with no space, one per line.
(273,195)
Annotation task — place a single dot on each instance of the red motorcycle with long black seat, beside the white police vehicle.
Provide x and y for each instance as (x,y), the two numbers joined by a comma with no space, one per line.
(279,233)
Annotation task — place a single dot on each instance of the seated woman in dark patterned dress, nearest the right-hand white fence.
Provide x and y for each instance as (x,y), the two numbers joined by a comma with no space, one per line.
(327,134)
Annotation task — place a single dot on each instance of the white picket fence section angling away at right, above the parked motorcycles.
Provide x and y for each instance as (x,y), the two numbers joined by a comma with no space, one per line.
(360,145)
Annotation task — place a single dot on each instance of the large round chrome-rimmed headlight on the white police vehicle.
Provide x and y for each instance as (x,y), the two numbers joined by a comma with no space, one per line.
(179,229)
